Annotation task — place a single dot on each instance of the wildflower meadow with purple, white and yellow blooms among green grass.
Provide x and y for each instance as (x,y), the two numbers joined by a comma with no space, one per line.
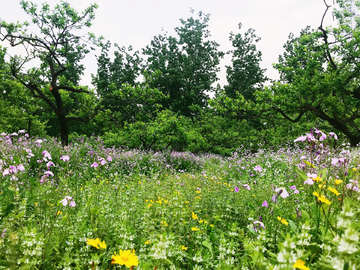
(86,206)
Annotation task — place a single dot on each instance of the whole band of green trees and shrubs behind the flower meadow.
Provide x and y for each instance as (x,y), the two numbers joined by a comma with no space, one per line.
(164,96)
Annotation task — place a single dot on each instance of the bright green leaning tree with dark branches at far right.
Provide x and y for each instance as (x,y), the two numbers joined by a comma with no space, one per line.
(320,75)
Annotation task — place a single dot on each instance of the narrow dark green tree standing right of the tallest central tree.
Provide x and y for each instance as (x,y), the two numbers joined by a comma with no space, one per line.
(245,75)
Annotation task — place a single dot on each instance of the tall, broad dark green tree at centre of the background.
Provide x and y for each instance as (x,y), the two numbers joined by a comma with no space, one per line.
(188,64)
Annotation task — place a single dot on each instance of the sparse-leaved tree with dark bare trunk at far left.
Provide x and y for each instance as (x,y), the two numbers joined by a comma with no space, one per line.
(59,47)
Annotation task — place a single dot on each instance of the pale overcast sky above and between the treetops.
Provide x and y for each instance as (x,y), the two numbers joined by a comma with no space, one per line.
(136,22)
